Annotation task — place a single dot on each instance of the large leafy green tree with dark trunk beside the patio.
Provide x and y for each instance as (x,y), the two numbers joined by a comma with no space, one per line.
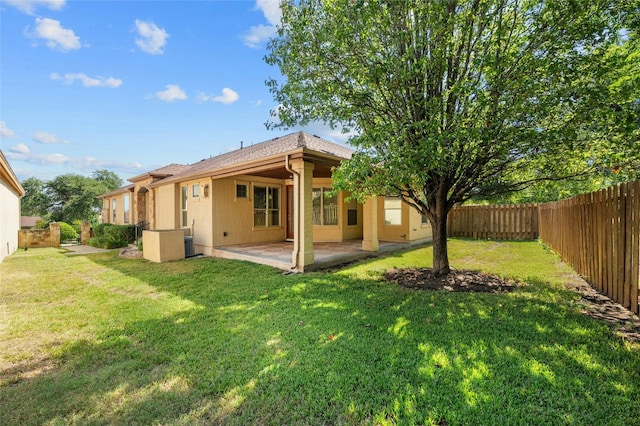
(454,99)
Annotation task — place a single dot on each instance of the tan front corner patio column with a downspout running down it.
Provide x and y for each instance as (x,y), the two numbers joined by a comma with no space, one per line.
(303,213)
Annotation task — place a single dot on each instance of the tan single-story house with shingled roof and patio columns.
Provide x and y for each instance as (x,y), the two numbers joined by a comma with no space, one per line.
(271,191)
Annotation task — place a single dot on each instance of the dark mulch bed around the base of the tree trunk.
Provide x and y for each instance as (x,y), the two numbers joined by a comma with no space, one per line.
(455,281)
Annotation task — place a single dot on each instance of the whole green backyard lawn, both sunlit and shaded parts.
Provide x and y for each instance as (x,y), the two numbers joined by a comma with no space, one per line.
(102,340)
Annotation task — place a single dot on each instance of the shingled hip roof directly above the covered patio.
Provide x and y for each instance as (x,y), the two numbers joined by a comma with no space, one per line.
(281,145)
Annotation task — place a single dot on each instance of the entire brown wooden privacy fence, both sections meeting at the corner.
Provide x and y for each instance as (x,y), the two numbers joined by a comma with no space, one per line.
(597,233)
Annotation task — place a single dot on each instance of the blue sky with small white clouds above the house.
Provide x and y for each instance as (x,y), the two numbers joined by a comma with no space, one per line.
(130,86)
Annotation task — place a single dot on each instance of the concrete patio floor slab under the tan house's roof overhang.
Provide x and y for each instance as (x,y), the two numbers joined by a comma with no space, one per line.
(326,254)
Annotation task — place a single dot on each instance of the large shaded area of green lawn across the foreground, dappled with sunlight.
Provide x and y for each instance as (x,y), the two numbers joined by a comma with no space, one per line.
(261,348)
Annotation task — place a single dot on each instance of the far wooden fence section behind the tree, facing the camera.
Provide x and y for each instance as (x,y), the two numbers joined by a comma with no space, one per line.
(500,222)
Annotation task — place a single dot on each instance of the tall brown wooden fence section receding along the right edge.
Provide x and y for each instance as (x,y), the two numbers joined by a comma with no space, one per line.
(598,234)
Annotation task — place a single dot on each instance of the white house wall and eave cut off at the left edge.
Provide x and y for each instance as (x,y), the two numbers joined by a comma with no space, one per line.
(10,193)
